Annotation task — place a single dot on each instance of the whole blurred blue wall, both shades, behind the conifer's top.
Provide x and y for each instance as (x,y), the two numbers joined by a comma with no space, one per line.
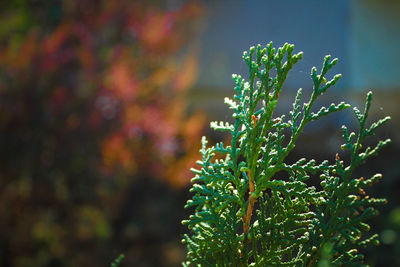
(363,34)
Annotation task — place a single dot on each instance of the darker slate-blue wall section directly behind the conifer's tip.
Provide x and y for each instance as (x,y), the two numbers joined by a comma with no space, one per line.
(316,27)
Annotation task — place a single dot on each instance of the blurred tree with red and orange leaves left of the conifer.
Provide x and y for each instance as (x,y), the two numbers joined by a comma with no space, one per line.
(92,98)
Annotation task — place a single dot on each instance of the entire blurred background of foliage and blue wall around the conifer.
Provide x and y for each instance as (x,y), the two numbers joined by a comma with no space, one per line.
(103,103)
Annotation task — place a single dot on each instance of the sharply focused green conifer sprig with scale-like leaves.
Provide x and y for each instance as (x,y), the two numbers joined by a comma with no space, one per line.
(247,215)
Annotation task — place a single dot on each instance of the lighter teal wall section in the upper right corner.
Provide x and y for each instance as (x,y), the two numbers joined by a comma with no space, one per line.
(374,49)
